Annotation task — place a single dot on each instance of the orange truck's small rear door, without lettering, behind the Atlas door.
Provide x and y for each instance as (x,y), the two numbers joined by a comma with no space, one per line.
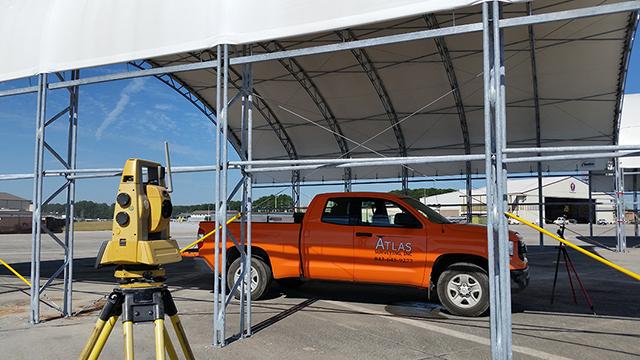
(327,241)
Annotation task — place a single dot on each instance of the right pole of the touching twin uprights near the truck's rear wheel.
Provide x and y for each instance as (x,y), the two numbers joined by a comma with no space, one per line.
(223,189)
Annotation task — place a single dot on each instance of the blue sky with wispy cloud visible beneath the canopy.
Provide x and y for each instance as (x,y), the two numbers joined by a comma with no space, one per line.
(132,119)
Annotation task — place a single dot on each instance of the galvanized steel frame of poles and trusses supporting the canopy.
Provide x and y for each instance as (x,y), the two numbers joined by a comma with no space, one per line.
(495,152)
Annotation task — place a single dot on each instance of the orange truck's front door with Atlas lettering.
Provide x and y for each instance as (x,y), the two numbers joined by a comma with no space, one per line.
(386,252)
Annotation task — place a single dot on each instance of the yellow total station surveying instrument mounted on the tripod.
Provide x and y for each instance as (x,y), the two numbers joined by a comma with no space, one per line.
(141,219)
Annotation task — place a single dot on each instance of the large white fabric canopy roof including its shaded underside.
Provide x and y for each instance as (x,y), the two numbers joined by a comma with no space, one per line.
(415,98)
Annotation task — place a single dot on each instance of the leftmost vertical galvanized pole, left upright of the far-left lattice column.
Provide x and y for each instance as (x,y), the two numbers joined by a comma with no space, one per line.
(36,223)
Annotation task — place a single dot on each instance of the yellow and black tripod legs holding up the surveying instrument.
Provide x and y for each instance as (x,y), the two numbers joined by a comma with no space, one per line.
(140,297)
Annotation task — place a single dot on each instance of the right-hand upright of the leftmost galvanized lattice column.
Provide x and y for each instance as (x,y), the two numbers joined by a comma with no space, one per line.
(71,195)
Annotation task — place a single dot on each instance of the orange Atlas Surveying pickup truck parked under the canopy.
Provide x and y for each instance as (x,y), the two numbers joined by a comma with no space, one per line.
(374,238)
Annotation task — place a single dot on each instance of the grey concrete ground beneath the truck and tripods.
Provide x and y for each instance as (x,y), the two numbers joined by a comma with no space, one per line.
(336,320)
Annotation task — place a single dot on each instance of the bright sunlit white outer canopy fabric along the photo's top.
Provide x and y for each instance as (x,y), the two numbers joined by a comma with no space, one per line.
(44,36)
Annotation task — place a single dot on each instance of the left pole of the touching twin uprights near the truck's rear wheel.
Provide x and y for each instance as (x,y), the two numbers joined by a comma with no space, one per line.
(218,323)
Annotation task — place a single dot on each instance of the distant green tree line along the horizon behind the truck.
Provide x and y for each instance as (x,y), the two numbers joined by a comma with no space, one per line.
(91,210)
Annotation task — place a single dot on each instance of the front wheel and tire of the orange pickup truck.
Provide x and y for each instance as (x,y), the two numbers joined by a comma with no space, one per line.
(463,289)
